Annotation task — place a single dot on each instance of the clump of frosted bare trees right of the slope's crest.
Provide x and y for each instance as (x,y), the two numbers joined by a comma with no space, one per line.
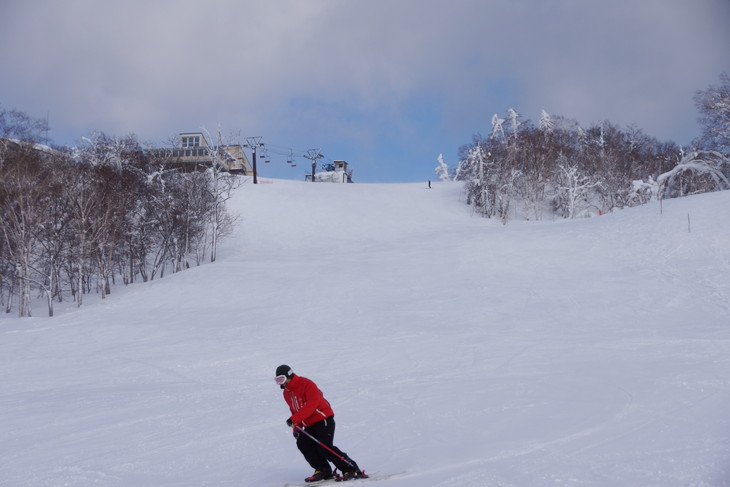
(562,163)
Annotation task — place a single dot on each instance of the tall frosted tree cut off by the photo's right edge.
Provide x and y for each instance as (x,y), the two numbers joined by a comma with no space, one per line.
(714,107)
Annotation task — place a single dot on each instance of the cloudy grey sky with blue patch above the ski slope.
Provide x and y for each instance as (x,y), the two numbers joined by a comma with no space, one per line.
(387,85)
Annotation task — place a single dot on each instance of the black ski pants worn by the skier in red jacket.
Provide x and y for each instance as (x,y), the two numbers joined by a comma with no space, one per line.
(318,456)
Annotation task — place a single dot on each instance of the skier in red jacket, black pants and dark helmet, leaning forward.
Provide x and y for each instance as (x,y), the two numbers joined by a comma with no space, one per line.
(313,422)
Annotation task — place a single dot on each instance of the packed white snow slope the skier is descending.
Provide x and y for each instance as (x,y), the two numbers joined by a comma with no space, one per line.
(456,351)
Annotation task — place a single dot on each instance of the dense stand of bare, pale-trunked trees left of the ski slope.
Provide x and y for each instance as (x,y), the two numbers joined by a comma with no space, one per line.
(71,221)
